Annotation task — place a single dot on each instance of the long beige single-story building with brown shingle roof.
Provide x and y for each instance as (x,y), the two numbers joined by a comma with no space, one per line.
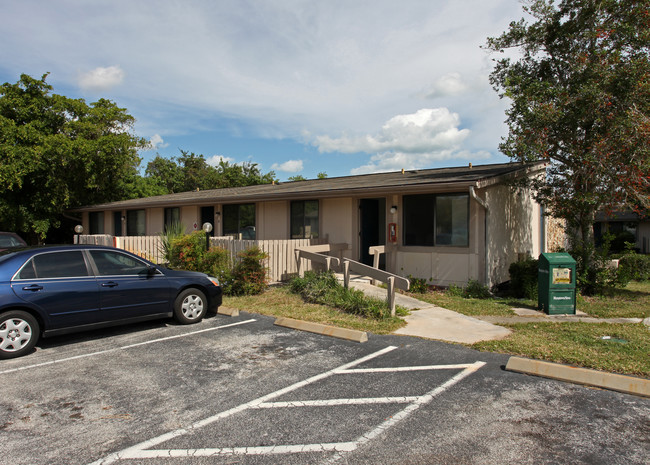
(446,225)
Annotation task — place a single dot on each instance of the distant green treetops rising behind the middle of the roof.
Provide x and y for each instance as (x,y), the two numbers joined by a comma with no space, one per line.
(190,172)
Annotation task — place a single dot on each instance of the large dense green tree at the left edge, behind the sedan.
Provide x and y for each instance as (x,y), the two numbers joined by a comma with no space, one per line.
(58,153)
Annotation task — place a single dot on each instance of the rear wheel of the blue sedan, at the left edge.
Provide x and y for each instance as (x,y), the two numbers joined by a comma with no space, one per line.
(19,332)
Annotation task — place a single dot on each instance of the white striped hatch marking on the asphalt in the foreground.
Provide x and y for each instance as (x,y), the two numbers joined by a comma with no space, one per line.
(145,450)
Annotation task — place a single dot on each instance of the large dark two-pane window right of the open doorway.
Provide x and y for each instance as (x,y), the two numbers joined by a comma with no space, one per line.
(436,220)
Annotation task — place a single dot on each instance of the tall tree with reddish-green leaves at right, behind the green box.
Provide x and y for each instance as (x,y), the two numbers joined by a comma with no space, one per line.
(579,85)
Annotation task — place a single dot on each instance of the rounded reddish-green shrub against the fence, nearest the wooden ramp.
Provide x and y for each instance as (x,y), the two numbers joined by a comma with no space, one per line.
(249,276)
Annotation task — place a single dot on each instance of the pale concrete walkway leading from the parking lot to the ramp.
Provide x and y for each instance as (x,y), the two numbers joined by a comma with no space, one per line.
(433,322)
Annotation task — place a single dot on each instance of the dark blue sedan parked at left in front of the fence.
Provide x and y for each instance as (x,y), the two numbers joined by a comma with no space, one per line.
(50,291)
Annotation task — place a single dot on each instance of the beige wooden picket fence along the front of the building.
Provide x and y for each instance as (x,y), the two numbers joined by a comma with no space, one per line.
(281,262)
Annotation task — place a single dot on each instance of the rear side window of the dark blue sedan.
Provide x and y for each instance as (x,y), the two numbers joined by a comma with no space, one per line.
(55,265)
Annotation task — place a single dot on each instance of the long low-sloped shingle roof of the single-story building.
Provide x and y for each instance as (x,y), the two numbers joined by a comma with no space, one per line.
(379,183)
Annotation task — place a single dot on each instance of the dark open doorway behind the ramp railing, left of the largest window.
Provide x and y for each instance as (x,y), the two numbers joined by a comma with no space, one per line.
(372,228)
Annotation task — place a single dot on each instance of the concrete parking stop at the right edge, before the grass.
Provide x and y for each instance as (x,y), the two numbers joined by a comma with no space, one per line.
(614,382)
